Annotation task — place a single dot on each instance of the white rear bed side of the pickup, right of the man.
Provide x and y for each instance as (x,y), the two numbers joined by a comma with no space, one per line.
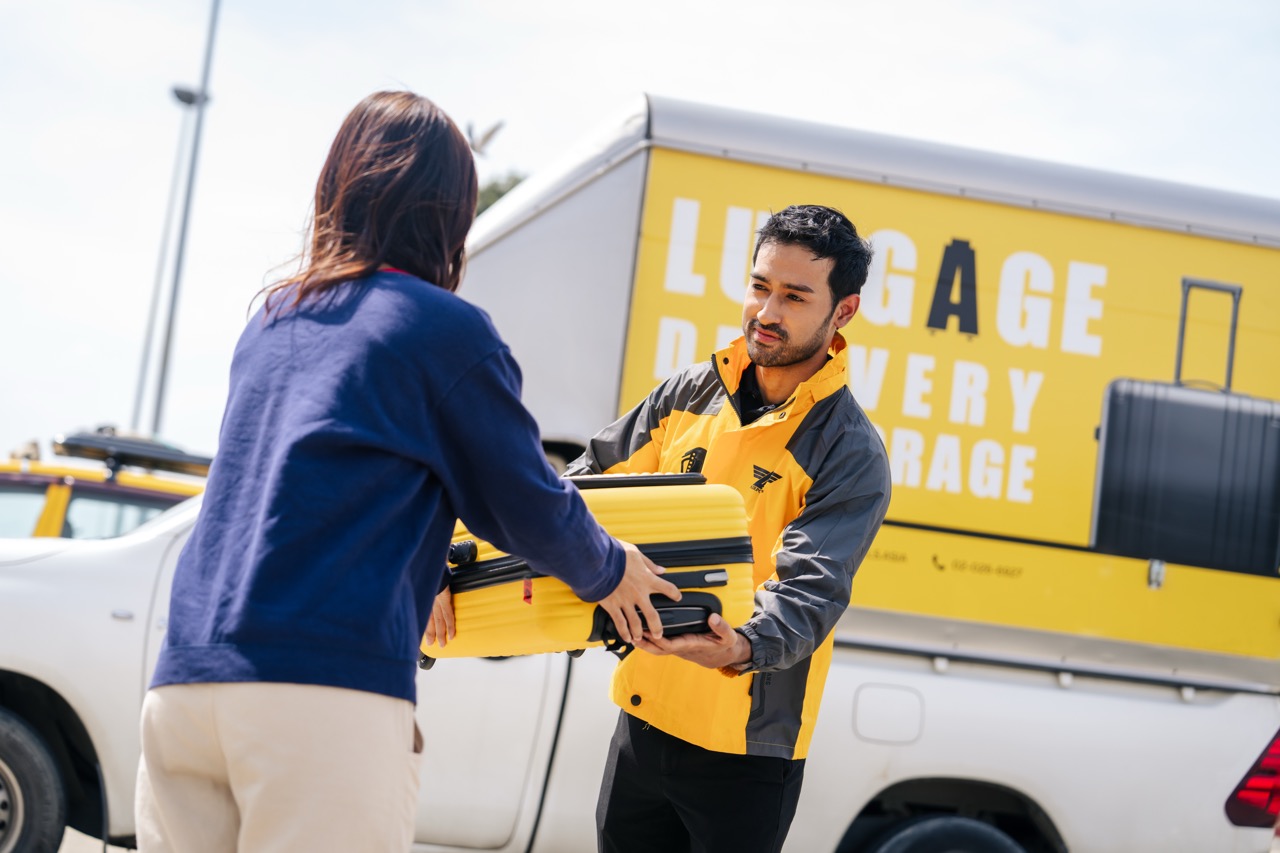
(1118,767)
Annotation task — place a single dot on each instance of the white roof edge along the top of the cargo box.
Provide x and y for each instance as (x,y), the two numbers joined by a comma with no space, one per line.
(877,158)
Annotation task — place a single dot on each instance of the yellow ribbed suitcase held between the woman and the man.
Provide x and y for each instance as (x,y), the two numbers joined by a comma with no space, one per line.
(696,531)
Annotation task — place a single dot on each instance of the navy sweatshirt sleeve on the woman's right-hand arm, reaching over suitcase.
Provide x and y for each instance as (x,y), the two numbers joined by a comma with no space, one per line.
(505,491)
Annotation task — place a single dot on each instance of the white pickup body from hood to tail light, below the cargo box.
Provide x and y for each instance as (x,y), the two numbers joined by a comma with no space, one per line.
(1052,755)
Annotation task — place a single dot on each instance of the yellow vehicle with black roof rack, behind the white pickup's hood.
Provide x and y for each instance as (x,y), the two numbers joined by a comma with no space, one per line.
(108,486)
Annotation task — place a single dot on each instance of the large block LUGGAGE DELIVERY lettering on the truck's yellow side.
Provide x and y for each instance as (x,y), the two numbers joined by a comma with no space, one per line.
(1023,318)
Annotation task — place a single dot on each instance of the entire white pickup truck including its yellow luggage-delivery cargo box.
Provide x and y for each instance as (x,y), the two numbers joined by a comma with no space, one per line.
(1011,669)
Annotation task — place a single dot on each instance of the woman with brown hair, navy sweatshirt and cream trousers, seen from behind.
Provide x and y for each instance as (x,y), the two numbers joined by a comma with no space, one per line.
(369,409)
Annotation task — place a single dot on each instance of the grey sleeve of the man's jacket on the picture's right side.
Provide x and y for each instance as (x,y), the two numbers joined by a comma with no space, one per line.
(819,554)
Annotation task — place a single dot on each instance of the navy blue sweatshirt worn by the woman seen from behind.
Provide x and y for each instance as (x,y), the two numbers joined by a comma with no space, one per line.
(359,427)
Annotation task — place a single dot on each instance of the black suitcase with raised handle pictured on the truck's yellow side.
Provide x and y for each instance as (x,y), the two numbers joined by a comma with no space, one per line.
(1190,476)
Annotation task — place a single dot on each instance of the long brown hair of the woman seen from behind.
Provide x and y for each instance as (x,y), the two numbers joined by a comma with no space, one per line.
(400,189)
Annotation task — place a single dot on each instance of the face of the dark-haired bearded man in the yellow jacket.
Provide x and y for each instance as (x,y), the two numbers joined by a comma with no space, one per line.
(790,316)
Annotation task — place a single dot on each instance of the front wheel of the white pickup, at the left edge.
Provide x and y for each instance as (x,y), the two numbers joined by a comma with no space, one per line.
(33,805)
